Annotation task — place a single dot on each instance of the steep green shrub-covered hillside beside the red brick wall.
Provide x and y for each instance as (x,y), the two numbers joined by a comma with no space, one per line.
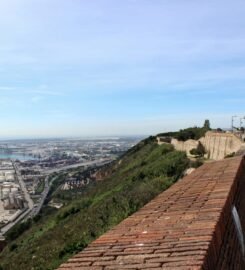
(143,172)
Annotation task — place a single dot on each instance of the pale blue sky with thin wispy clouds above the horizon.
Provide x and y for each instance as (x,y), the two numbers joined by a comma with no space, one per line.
(110,67)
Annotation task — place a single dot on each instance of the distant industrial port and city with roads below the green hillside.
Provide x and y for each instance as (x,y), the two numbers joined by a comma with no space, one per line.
(29,167)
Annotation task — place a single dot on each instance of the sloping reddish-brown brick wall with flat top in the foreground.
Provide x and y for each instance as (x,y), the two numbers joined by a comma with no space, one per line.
(182,228)
